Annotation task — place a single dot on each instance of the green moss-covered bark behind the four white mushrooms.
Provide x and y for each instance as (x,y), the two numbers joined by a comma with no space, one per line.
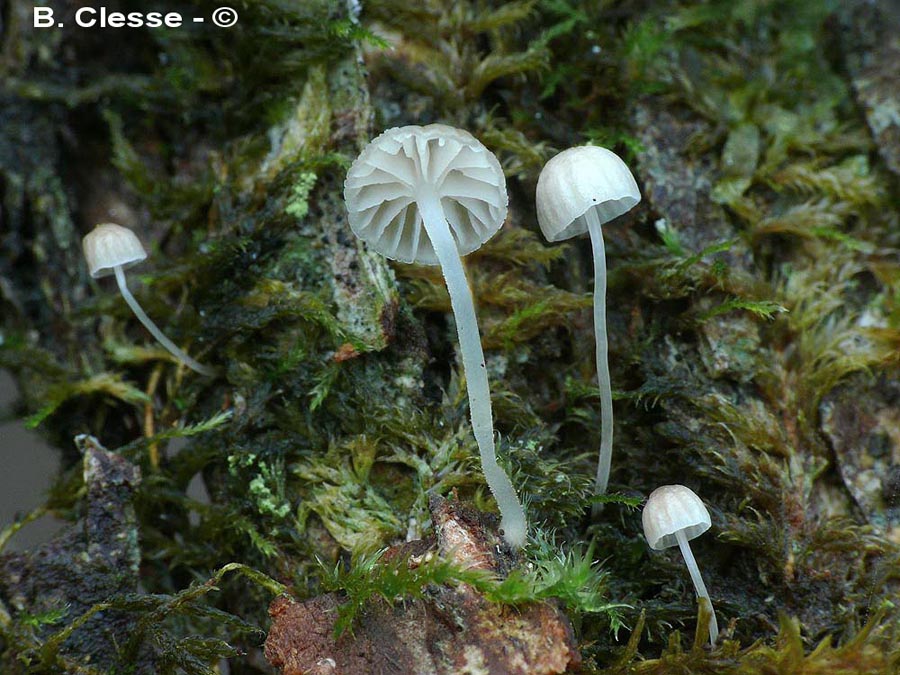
(753,314)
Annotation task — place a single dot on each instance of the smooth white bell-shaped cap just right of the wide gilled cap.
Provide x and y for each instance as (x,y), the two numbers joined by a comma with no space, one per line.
(579,179)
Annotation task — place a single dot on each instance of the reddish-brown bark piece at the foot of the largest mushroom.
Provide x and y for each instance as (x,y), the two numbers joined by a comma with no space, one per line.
(451,630)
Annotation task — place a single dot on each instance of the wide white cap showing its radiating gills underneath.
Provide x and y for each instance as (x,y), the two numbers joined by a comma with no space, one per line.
(383,183)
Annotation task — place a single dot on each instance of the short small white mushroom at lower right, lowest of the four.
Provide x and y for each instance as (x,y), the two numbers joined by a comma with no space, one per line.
(673,516)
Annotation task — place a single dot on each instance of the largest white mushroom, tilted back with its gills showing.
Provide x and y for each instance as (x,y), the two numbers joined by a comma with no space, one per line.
(430,195)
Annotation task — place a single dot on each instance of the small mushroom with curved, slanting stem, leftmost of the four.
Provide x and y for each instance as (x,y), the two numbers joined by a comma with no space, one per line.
(111,249)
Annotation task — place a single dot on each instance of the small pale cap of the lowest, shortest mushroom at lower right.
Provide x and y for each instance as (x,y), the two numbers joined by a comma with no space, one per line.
(671,508)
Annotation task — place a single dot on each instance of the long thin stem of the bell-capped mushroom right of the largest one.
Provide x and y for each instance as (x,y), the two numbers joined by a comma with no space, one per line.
(602,354)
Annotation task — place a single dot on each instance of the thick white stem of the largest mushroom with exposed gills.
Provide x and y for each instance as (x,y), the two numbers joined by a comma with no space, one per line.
(444,245)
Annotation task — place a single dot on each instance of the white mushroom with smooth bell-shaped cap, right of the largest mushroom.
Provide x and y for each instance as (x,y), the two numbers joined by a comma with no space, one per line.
(579,190)
